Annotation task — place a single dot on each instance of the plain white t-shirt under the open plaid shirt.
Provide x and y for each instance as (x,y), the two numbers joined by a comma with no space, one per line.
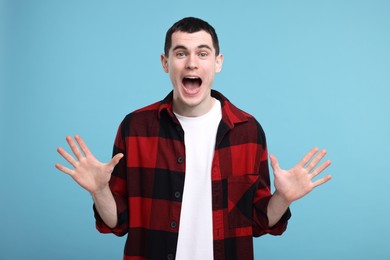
(196,221)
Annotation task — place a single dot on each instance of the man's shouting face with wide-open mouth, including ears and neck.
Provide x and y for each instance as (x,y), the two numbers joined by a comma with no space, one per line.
(192,65)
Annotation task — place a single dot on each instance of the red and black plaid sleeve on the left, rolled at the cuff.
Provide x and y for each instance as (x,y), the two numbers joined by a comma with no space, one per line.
(118,188)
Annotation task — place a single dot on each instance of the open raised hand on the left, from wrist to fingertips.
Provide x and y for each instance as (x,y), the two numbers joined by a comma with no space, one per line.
(88,172)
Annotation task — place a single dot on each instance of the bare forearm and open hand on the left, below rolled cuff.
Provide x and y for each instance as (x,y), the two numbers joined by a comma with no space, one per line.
(93,176)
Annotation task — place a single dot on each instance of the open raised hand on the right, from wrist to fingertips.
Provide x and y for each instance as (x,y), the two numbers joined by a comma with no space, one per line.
(295,183)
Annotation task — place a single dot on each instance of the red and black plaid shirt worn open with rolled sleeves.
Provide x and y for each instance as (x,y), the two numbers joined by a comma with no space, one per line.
(148,183)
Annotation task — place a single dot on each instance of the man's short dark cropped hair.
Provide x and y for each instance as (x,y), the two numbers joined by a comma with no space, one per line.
(191,25)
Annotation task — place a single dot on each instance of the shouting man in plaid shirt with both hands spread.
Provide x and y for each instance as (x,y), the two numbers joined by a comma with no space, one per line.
(194,181)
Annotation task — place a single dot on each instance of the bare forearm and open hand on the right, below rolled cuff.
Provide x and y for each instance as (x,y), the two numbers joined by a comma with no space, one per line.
(295,183)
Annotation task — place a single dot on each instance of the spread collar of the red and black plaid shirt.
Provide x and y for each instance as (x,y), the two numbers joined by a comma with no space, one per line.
(230,113)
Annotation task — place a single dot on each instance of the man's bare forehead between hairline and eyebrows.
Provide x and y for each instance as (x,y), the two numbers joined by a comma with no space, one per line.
(192,40)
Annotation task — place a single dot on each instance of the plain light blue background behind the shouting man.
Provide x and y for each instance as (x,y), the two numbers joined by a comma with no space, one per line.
(314,73)
